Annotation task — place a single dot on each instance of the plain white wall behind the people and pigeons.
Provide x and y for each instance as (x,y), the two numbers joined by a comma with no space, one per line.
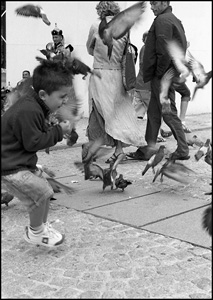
(25,35)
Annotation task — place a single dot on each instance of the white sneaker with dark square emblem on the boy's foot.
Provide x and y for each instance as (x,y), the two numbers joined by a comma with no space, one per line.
(48,238)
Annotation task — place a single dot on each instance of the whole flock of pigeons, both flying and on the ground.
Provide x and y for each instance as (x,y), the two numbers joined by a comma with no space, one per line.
(185,65)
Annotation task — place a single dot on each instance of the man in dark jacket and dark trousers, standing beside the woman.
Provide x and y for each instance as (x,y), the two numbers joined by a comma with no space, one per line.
(156,61)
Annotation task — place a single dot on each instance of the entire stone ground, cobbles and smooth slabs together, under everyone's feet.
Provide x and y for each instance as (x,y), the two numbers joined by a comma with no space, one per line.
(145,242)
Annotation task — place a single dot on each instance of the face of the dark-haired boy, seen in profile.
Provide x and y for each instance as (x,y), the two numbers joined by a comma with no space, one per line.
(56,99)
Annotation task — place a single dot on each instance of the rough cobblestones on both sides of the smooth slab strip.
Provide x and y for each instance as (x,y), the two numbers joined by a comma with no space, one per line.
(103,259)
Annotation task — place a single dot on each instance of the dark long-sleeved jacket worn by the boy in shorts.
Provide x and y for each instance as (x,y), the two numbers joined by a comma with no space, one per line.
(24,132)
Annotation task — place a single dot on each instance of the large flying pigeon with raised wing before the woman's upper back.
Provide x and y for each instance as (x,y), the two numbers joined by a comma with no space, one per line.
(120,24)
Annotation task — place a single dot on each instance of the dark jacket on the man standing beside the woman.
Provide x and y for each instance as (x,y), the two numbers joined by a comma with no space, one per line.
(156,60)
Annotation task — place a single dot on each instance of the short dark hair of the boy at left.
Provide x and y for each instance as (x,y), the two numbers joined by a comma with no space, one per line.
(51,75)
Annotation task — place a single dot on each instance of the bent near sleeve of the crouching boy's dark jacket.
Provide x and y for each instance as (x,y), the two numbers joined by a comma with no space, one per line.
(29,129)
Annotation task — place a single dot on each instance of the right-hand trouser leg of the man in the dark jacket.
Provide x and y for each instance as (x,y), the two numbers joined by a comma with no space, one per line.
(173,121)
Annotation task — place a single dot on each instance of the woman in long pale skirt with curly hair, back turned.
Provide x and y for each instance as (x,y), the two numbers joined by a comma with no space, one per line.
(112,114)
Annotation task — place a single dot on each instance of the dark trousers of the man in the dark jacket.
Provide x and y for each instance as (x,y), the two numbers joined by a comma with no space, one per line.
(154,115)
